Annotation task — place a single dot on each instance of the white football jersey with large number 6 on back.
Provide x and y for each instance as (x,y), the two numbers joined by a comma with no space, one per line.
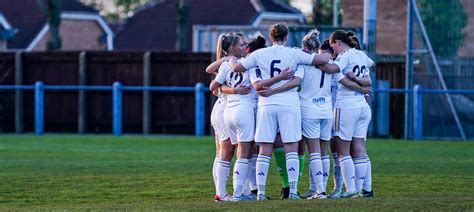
(270,62)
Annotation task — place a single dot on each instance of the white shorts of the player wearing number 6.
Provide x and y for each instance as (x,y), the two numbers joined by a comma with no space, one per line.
(274,118)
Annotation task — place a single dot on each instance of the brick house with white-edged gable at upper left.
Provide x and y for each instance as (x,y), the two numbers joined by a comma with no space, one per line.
(82,28)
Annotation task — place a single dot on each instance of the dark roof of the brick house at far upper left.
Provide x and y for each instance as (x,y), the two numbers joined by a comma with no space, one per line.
(27,19)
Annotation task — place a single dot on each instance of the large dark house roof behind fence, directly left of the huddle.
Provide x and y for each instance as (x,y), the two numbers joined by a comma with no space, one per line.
(154,26)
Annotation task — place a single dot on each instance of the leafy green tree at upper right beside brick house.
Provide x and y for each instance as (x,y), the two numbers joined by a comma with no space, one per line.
(444,22)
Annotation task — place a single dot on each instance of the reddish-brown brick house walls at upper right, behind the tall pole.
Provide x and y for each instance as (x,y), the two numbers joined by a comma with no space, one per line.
(391,25)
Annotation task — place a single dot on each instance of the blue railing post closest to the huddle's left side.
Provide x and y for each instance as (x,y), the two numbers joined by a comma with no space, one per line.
(199,101)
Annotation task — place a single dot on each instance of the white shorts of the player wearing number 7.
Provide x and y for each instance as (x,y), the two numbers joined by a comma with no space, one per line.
(317,128)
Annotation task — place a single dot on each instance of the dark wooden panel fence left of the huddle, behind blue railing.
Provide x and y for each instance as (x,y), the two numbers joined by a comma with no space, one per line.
(171,112)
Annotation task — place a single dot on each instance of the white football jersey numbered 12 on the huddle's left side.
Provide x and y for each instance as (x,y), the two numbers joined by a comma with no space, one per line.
(233,79)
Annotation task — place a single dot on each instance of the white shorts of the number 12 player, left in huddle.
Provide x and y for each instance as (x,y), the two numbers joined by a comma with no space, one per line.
(240,122)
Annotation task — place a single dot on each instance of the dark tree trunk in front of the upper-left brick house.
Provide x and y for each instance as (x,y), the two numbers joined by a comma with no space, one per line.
(52,10)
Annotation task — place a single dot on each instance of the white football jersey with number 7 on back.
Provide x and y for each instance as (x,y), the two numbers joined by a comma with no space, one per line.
(315,93)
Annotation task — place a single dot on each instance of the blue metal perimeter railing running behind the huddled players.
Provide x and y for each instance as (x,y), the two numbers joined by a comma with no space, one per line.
(199,91)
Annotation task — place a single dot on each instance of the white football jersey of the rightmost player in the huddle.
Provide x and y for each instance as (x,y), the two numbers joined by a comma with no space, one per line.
(351,60)
